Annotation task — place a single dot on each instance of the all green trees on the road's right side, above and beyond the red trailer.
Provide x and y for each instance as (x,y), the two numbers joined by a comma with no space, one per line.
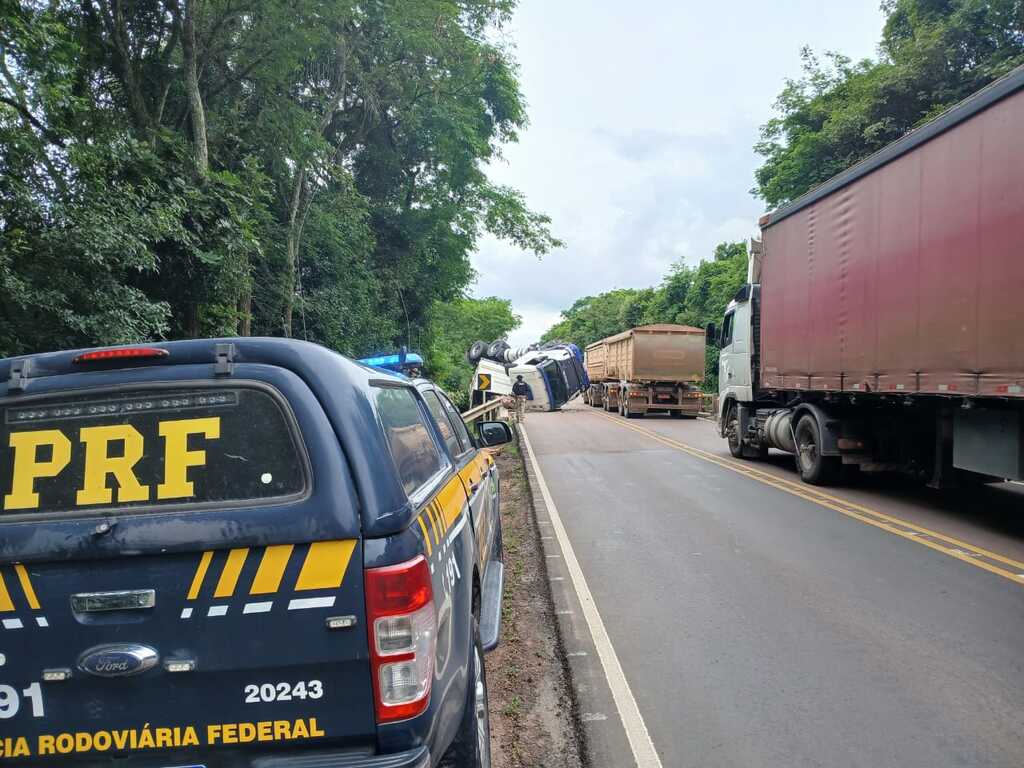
(932,55)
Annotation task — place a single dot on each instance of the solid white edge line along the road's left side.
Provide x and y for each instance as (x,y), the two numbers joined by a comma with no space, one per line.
(636,731)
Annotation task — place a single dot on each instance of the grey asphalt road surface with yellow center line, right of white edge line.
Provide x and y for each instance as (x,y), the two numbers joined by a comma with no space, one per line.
(880,625)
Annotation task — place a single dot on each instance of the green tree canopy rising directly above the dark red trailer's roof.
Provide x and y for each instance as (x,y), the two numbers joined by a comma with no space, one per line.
(933,54)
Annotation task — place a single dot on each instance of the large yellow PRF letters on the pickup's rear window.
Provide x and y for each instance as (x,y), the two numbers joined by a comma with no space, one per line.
(33,464)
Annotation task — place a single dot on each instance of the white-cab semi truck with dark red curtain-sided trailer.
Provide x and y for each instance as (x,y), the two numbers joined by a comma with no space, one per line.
(882,327)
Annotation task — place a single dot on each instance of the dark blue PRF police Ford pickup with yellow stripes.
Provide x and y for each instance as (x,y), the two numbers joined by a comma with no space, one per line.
(244,552)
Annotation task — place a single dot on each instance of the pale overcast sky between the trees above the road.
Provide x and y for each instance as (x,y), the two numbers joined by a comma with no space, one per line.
(644,117)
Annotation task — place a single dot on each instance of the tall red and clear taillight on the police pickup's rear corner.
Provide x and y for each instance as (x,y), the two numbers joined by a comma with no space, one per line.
(403,627)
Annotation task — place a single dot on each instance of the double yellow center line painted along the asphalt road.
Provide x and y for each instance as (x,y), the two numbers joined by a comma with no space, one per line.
(850,509)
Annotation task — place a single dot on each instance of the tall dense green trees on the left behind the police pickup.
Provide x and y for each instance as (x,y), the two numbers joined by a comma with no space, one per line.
(310,168)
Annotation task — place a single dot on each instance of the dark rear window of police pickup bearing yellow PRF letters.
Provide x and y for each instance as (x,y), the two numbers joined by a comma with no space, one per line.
(150,448)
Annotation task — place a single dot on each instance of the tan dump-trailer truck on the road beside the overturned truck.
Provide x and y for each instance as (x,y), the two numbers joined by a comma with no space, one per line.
(652,369)
